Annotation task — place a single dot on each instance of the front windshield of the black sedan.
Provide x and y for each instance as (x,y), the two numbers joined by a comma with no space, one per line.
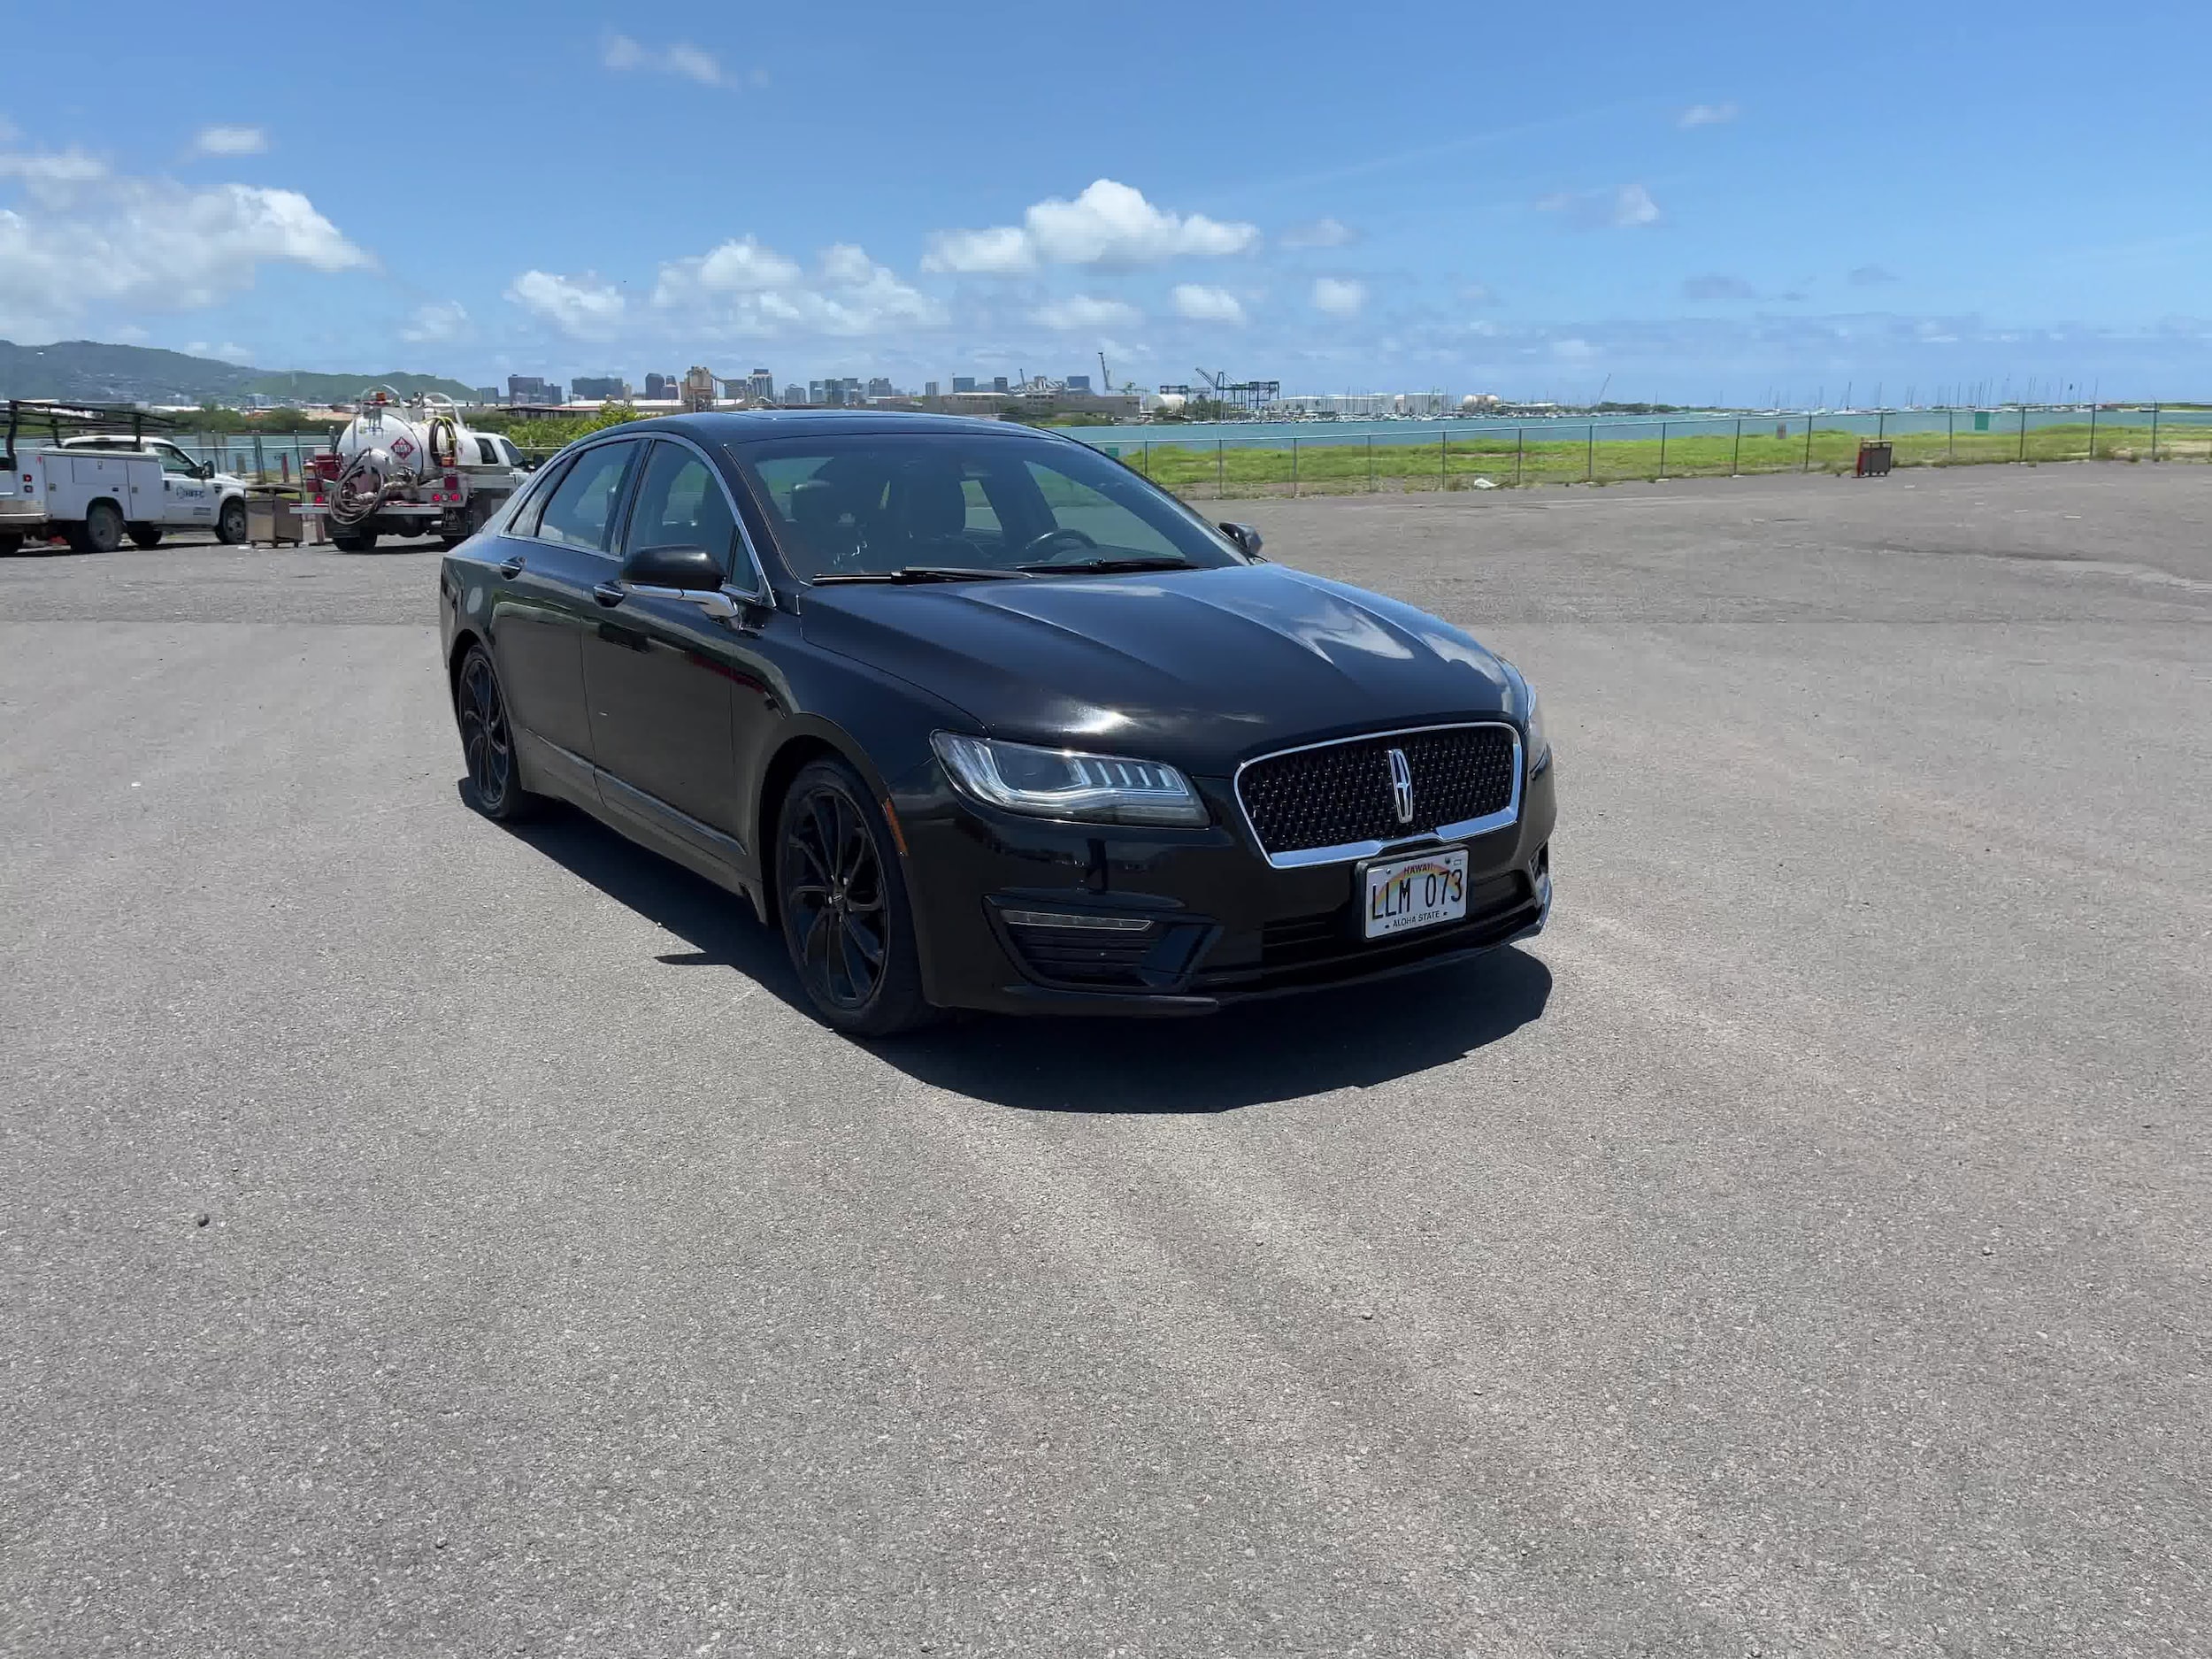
(870,505)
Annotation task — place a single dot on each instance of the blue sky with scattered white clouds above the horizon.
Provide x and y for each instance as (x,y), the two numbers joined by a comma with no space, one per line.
(1671,202)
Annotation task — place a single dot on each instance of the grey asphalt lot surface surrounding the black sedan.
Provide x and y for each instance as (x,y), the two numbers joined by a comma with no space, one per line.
(428,1240)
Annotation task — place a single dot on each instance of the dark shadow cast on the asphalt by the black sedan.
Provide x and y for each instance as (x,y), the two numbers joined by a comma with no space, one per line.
(1266,1052)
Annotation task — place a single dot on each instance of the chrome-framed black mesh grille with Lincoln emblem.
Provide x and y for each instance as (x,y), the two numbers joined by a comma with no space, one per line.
(1344,795)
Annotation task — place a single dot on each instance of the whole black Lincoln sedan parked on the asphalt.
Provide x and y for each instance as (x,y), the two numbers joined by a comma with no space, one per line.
(983,720)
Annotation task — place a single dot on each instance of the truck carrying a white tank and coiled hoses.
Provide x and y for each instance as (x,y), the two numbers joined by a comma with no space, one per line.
(410,468)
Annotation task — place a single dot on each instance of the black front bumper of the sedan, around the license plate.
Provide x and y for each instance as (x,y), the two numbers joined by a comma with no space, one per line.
(1178,921)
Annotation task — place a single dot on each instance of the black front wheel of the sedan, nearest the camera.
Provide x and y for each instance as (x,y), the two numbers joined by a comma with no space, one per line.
(844,906)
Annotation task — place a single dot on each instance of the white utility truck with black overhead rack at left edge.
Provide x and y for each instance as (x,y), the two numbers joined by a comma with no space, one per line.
(96,488)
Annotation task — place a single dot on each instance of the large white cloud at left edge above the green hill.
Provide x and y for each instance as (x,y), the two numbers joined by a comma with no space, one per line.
(87,238)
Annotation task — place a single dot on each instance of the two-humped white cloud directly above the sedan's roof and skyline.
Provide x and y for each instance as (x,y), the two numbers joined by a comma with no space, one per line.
(751,291)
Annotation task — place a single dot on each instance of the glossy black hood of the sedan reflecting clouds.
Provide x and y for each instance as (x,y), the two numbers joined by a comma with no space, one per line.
(1191,667)
